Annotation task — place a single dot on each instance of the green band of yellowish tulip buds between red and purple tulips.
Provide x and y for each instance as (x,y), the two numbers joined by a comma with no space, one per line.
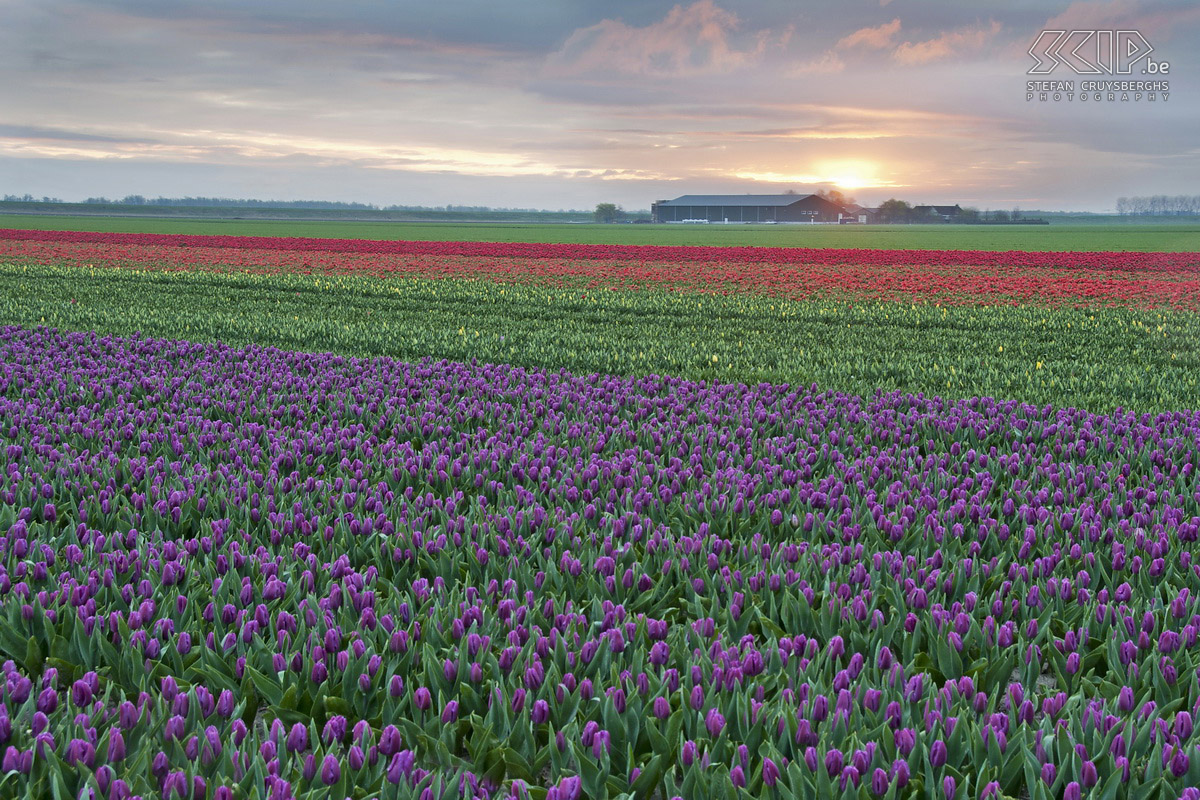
(1096,359)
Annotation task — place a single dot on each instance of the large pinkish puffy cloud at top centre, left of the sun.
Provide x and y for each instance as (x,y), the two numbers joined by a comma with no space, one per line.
(693,40)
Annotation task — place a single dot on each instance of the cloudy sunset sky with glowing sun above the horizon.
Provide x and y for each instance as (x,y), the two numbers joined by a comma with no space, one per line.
(571,104)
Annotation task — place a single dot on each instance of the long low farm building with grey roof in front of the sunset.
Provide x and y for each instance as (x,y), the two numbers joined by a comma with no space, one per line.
(747,208)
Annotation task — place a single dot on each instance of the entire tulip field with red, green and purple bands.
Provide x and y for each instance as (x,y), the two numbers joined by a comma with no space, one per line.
(323,519)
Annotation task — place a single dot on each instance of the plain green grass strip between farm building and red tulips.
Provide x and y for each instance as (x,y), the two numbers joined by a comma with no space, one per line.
(1073,237)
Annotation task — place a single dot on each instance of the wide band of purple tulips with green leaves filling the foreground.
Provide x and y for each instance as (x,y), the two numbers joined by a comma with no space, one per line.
(241,573)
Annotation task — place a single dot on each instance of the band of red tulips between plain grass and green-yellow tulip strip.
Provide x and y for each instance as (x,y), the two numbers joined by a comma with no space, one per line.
(975,278)
